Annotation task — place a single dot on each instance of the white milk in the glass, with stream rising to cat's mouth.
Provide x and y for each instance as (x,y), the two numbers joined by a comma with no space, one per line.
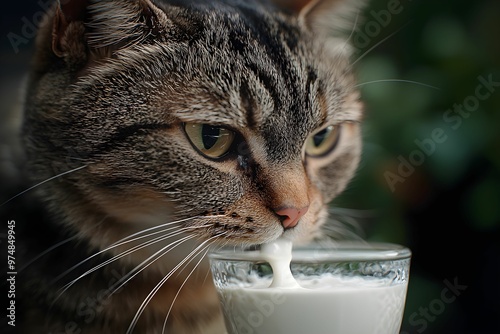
(325,305)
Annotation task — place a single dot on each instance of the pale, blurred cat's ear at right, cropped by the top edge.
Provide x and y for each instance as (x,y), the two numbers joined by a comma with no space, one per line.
(326,17)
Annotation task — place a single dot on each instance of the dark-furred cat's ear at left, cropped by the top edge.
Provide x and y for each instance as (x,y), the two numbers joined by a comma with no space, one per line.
(103,26)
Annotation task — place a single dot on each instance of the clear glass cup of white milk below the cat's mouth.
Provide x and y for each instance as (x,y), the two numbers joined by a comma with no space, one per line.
(348,288)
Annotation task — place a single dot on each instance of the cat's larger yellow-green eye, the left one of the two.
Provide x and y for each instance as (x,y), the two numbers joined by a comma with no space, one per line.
(212,141)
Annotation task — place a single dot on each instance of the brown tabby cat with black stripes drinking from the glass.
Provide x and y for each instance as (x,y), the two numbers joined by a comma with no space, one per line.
(156,130)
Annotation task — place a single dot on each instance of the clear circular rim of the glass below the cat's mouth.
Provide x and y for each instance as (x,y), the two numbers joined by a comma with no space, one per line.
(341,251)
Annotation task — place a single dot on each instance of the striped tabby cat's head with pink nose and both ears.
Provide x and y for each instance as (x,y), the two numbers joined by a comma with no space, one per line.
(236,118)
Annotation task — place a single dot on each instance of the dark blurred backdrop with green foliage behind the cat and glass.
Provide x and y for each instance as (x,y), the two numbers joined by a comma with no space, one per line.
(446,206)
